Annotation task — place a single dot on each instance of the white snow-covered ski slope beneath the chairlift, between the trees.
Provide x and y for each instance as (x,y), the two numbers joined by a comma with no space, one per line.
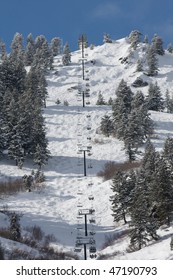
(54,208)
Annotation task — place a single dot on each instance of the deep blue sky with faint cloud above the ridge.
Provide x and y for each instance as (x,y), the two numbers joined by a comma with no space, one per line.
(68,19)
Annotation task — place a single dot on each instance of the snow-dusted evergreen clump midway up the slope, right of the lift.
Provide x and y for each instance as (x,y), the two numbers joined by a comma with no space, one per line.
(130,120)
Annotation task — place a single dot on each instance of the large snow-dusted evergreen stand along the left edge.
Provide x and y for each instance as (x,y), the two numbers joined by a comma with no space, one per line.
(23,96)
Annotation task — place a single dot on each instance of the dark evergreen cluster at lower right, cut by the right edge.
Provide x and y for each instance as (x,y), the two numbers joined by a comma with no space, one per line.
(145,196)
